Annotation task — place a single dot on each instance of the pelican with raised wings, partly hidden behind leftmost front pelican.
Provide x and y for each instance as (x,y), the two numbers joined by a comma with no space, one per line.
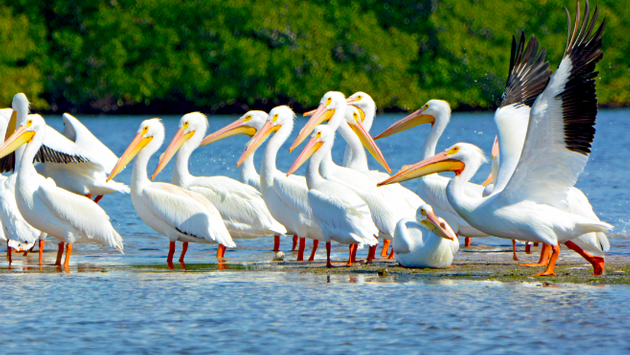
(80,166)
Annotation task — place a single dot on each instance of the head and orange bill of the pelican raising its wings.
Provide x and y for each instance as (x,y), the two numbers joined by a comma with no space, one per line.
(455,159)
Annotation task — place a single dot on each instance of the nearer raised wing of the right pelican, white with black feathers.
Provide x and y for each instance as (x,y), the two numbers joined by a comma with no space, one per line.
(561,124)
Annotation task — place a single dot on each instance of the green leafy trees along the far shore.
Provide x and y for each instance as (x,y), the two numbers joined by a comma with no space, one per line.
(173,56)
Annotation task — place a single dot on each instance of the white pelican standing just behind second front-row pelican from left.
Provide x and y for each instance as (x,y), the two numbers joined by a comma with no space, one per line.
(241,206)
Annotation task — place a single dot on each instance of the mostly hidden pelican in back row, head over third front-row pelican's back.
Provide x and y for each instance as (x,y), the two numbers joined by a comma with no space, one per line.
(248,124)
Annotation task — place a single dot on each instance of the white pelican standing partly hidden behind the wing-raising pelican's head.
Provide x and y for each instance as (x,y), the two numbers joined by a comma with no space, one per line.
(432,188)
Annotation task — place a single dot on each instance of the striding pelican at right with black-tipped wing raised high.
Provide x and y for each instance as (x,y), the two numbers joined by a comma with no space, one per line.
(561,127)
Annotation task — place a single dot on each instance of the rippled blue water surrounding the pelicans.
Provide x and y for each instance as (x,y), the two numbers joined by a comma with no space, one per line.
(112,303)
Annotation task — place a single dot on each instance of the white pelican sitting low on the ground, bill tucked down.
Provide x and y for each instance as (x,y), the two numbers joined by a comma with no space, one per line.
(426,241)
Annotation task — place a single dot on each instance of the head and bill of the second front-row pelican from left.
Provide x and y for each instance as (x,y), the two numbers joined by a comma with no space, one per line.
(150,135)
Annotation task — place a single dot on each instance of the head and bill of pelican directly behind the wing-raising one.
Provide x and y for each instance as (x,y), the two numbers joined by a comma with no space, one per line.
(434,111)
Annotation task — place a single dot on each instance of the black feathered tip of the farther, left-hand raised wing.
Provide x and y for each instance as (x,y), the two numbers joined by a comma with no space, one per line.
(529,72)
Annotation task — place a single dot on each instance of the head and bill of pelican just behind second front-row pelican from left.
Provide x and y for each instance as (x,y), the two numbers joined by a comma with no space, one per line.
(192,126)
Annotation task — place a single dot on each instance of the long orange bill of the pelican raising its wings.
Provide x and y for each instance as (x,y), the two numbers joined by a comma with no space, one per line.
(436,164)
